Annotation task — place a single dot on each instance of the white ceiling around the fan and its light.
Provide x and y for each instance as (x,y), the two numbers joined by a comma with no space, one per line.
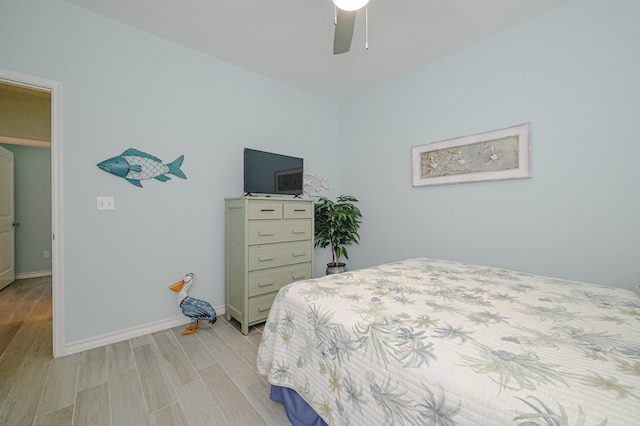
(291,41)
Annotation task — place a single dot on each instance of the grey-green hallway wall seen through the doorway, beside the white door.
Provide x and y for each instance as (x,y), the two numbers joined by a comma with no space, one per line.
(32,206)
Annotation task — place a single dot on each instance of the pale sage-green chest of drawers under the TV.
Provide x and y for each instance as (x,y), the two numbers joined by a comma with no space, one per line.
(268,243)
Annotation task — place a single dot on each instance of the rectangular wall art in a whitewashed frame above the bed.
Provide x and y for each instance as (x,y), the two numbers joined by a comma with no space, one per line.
(495,155)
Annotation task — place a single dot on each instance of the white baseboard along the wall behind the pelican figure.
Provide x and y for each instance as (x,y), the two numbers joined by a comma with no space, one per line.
(119,336)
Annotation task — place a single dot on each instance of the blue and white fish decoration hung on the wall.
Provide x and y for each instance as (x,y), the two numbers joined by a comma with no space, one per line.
(134,166)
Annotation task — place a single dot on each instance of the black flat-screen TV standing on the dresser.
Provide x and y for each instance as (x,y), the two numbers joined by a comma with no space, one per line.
(269,173)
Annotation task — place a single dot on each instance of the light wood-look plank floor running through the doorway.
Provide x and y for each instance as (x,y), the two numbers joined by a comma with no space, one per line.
(164,378)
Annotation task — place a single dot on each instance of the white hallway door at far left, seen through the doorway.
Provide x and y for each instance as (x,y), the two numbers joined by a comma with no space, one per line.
(7,223)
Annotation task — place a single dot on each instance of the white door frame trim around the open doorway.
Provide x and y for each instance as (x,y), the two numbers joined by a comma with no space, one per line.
(57,199)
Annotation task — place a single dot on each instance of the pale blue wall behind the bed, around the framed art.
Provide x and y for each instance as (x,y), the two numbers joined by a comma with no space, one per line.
(573,73)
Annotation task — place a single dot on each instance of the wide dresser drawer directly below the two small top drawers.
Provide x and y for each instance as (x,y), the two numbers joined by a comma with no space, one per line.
(276,231)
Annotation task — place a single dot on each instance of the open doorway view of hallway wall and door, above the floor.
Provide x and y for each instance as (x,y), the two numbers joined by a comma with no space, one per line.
(25,132)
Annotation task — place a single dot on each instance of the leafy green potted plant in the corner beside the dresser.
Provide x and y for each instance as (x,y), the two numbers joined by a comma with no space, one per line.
(336,225)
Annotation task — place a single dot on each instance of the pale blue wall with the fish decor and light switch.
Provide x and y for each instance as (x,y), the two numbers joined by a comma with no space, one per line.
(123,88)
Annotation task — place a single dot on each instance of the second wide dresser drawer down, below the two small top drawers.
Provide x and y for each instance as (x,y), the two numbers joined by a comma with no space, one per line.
(279,254)
